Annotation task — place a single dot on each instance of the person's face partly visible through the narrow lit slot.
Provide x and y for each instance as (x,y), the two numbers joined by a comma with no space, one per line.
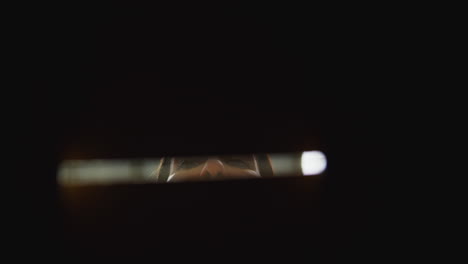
(213,168)
